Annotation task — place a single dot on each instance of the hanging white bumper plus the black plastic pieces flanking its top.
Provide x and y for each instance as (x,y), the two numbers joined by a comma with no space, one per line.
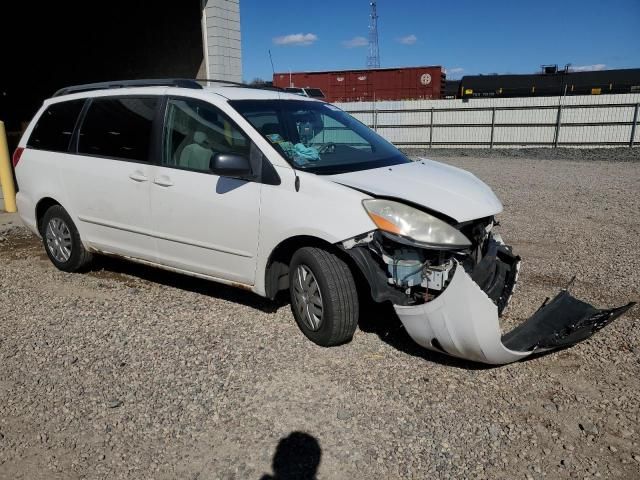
(463,319)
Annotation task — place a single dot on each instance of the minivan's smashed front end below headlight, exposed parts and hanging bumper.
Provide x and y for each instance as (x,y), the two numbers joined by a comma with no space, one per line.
(451,301)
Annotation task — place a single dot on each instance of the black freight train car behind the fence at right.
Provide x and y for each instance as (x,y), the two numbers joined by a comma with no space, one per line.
(551,83)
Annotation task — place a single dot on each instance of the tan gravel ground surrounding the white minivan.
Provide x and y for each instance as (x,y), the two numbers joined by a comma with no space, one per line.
(129,372)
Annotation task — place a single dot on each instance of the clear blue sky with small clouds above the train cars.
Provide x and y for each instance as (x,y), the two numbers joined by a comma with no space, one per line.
(466,37)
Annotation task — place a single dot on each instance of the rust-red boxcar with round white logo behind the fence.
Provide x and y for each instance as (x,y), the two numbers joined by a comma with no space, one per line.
(411,83)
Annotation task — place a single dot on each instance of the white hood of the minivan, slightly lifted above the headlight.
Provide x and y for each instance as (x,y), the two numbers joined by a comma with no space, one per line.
(451,191)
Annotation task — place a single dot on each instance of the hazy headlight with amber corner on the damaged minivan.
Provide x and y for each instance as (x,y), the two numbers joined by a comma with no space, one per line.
(400,219)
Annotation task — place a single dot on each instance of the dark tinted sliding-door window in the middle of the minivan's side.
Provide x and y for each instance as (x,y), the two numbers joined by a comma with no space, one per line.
(118,128)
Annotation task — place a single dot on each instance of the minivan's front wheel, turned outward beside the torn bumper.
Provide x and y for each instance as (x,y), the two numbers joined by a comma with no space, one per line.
(336,293)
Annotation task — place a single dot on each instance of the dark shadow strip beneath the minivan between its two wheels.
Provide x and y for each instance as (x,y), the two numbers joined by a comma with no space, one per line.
(117,269)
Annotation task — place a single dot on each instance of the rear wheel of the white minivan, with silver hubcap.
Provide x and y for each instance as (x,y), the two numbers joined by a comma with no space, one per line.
(62,241)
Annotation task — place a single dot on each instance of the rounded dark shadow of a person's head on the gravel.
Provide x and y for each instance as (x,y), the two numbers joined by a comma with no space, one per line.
(297,457)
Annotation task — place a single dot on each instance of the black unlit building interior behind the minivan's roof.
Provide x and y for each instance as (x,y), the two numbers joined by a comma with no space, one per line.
(49,45)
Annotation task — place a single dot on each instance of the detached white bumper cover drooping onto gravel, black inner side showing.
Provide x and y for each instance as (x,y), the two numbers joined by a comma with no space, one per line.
(463,322)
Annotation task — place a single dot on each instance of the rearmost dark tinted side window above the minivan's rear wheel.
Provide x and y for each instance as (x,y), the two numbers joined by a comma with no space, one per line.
(55,126)
